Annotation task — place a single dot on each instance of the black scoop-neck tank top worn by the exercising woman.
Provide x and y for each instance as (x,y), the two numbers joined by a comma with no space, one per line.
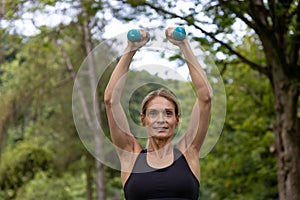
(176,182)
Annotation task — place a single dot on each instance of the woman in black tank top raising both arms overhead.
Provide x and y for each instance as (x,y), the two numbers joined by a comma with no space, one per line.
(160,171)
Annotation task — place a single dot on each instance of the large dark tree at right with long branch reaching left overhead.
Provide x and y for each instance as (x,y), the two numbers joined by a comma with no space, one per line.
(277,27)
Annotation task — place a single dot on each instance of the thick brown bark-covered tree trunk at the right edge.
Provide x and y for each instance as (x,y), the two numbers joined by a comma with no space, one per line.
(286,125)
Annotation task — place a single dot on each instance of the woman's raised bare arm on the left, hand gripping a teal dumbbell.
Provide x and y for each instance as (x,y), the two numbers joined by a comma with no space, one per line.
(118,123)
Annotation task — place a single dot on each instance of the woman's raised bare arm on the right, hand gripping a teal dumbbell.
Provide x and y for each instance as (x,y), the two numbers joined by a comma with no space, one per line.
(199,120)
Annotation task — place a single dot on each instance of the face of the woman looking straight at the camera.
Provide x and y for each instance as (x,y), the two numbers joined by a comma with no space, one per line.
(160,118)
